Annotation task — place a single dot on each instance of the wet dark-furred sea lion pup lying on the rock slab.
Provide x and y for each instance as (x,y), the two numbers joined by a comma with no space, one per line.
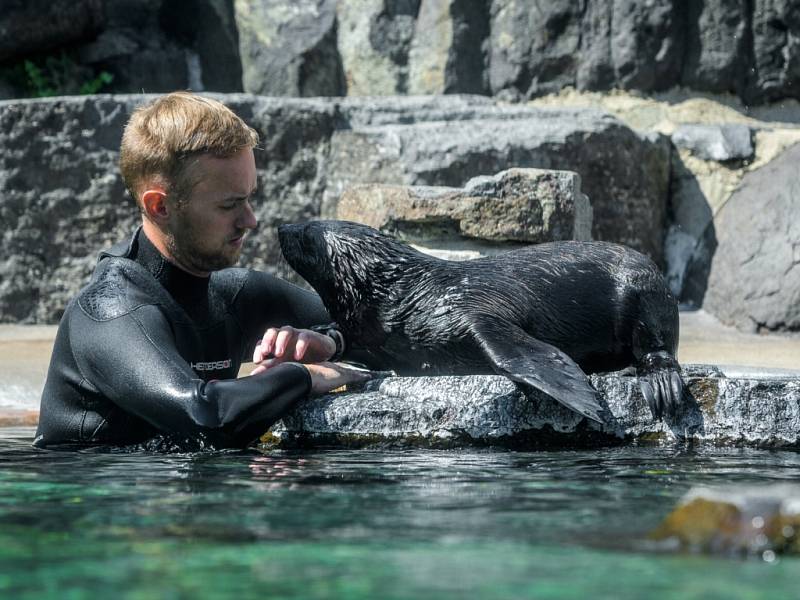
(544,315)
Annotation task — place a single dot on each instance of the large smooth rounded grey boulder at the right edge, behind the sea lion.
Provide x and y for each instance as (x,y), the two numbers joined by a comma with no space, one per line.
(754,281)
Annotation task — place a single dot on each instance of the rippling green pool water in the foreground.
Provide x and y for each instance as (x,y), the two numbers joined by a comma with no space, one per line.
(367,524)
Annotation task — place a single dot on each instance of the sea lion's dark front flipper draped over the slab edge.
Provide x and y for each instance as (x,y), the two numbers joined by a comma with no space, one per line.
(525,359)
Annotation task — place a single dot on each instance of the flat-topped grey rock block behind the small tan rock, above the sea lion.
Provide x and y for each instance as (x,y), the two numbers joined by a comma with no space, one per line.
(624,174)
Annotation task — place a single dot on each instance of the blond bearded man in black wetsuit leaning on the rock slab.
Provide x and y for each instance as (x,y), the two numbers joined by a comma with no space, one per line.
(148,352)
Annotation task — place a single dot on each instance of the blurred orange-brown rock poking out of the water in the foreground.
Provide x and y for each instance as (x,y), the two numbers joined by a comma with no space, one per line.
(762,521)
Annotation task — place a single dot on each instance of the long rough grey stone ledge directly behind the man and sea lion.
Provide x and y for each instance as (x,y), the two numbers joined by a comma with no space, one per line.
(62,200)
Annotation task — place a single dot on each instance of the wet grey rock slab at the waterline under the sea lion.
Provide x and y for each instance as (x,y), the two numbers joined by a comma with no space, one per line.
(744,407)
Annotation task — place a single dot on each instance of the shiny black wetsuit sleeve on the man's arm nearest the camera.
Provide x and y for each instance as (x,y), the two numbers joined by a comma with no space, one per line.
(134,362)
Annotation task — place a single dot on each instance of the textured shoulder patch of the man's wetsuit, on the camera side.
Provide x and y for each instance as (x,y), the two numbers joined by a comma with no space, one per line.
(118,286)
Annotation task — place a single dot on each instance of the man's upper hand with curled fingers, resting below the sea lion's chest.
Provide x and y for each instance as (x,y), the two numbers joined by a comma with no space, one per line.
(290,344)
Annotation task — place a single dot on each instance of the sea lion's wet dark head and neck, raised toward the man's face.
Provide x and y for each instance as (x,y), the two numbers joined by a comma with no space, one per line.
(353,267)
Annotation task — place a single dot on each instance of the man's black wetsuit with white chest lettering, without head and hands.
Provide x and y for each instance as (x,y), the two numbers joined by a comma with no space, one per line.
(149,352)
